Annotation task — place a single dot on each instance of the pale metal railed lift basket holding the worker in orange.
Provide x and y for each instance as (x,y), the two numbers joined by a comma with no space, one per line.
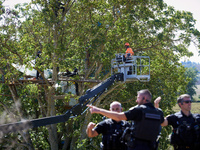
(132,67)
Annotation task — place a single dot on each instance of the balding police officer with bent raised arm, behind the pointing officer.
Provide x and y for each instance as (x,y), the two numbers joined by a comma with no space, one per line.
(110,129)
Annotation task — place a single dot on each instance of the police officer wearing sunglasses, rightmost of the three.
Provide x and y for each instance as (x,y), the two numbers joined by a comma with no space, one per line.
(185,135)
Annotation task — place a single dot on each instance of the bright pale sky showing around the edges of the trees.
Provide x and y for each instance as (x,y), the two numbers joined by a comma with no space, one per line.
(187,5)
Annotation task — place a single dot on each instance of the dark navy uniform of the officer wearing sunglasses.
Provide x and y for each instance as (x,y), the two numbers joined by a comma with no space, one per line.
(185,135)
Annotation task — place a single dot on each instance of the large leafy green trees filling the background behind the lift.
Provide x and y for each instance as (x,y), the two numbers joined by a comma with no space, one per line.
(87,35)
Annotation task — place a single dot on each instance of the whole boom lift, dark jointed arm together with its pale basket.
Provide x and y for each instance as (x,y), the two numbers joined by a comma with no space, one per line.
(129,69)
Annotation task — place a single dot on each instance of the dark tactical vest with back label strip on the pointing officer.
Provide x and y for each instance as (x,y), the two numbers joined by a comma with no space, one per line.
(148,127)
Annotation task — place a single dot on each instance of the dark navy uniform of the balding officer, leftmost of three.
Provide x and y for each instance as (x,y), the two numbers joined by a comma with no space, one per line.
(112,132)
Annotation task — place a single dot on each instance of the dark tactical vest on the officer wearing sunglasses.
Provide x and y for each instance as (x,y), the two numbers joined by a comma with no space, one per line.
(187,133)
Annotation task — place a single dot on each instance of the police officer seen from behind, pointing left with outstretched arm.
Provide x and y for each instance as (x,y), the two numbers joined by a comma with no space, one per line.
(146,117)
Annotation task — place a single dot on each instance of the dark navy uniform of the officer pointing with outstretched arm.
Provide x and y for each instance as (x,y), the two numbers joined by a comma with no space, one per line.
(147,120)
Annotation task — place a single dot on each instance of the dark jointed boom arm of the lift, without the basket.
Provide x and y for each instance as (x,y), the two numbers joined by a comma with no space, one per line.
(90,97)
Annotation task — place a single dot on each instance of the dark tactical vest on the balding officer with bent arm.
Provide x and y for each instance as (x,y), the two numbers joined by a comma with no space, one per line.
(112,140)
